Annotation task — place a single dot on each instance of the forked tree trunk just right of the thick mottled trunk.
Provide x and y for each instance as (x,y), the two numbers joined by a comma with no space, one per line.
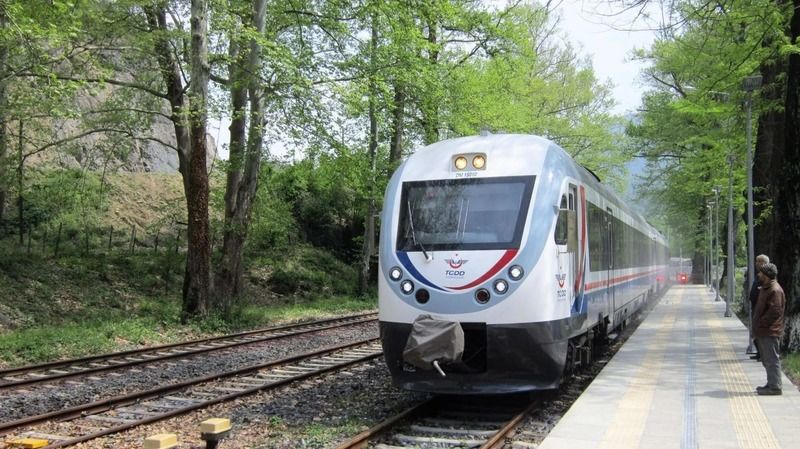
(245,167)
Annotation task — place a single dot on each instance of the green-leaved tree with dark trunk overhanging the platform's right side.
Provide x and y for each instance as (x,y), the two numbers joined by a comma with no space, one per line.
(710,50)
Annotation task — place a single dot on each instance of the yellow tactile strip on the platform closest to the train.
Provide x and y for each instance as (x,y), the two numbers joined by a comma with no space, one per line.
(627,426)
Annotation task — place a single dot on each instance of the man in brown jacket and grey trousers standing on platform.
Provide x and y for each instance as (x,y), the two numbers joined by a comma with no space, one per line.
(768,327)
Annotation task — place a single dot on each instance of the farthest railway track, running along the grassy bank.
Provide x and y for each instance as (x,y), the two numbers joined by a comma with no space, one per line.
(85,366)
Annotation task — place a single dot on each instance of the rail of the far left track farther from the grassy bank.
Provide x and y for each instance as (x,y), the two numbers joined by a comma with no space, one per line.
(312,327)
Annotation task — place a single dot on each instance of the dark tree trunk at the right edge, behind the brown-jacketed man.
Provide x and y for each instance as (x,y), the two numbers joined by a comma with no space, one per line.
(787,206)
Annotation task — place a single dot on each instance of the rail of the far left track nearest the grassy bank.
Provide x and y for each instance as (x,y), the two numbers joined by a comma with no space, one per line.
(110,355)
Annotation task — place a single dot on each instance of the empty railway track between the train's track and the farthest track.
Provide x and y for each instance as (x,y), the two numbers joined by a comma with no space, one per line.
(86,422)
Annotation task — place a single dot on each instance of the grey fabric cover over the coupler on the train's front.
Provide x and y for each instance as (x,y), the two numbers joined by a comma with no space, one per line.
(433,340)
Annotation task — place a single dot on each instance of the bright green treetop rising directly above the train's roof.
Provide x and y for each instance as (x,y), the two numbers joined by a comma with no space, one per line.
(529,83)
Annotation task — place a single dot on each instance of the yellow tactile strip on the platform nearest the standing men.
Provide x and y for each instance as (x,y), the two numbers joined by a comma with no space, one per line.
(753,431)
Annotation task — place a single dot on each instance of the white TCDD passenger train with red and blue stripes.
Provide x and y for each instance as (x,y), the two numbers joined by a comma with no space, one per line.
(503,263)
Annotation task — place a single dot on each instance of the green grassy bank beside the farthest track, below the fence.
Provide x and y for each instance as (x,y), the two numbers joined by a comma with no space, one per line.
(74,306)
